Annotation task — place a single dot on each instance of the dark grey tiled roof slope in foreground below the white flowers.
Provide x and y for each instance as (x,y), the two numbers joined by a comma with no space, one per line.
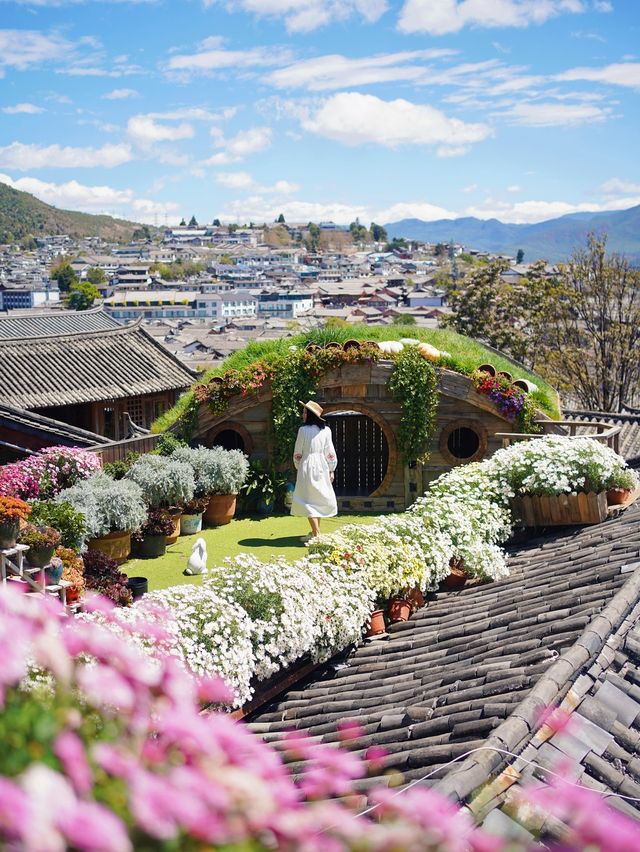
(460,668)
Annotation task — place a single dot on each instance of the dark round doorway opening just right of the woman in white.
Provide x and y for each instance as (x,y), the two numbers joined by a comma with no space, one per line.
(362,450)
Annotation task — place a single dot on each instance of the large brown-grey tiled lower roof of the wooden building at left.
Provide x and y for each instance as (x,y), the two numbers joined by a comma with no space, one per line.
(120,362)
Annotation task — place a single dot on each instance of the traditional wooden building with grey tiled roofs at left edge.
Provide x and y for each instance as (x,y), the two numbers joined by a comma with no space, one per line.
(86,370)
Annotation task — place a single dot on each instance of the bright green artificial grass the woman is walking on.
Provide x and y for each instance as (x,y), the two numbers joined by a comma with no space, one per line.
(276,535)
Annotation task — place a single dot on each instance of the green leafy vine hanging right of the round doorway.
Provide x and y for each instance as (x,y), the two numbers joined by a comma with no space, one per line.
(413,384)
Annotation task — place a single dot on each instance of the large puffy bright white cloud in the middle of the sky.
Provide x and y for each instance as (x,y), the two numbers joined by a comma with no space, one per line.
(356,119)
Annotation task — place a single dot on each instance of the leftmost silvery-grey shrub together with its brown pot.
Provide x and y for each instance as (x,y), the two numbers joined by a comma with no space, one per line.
(112,510)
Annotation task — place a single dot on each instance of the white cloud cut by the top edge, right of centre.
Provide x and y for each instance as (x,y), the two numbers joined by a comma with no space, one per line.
(439,17)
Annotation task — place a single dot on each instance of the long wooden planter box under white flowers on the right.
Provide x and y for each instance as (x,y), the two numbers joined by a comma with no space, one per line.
(564,509)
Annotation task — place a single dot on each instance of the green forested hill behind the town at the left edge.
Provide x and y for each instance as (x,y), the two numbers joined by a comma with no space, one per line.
(22,214)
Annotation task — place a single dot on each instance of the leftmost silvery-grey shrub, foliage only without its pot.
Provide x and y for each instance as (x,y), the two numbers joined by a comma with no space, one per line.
(108,505)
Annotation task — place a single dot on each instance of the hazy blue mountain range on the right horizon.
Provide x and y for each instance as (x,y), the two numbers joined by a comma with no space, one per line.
(554,240)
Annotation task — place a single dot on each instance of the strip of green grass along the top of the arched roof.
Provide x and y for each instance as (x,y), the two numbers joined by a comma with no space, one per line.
(466,355)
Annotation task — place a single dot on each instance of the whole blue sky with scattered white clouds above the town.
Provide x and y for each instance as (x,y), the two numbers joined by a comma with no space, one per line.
(154,110)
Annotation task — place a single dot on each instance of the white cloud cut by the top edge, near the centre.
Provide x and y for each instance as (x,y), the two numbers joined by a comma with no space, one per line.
(307,15)
